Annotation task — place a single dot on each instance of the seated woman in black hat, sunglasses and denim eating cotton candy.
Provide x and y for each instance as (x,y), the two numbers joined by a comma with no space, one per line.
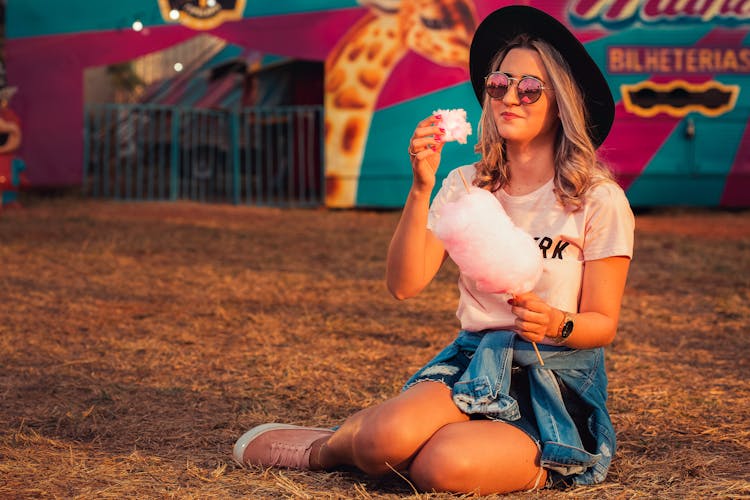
(499,421)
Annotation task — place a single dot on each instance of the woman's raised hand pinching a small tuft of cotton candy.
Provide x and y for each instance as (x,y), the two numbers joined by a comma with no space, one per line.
(424,149)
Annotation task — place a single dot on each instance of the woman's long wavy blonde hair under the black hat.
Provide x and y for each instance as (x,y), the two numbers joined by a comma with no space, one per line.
(577,167)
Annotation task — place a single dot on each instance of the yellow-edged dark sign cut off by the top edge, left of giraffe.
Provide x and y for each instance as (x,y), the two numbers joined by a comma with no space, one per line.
(201,14)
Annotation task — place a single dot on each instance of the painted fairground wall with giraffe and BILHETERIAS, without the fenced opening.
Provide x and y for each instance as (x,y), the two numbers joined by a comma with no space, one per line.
(677,70)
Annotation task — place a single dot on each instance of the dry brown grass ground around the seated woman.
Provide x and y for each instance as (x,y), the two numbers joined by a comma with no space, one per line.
(137,341)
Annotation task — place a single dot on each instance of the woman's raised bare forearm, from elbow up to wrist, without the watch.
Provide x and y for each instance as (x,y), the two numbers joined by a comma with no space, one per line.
(410,264)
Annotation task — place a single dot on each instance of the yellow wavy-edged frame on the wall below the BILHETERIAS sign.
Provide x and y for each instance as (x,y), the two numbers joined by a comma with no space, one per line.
(626,90)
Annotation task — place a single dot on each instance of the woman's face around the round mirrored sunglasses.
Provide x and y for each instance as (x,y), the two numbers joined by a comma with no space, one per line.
(523,124)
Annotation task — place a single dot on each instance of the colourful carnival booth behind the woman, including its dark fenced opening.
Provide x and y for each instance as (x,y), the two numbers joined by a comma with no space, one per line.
(312,102)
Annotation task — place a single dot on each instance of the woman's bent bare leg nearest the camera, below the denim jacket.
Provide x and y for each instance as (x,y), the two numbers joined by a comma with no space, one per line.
(480,457)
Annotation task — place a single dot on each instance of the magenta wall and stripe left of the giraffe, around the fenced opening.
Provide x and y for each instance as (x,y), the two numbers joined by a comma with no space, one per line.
(49,73)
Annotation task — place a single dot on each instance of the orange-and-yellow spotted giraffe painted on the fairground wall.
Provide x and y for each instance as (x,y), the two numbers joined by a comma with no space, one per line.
(358,67)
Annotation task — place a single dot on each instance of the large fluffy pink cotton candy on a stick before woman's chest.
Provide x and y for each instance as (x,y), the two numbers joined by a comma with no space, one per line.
(486,245)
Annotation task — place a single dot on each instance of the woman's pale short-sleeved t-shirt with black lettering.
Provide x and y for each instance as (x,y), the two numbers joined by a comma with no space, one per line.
(602,227)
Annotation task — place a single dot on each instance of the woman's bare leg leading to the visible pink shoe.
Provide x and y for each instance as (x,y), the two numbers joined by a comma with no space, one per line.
(390,433)
